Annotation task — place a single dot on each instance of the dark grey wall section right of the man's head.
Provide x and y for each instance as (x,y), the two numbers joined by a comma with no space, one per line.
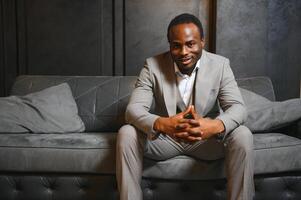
(262,37)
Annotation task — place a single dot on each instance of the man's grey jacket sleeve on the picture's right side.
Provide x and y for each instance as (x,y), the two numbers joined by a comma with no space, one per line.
(234,111)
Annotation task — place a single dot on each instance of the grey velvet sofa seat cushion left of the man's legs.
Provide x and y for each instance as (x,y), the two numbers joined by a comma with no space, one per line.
(74,152)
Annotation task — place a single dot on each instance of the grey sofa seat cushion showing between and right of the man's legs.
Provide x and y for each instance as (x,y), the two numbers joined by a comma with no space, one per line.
(274,152)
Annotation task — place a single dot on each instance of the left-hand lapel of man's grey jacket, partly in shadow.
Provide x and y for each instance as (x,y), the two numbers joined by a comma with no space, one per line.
(169,85)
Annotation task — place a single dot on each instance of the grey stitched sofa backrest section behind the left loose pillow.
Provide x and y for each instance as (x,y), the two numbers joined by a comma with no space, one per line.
(101,100)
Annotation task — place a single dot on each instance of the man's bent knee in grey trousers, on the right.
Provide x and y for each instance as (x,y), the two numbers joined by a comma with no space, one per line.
(242,138)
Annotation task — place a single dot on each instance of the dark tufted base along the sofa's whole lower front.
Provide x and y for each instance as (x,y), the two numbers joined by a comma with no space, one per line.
(95,187)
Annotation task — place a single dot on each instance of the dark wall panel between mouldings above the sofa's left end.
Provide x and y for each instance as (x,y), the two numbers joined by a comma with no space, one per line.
(66,37)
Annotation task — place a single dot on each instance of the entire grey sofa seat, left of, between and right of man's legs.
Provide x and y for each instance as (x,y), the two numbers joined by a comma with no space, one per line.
(95,153)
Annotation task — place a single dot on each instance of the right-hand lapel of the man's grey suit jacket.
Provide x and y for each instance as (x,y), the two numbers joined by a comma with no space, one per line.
(202,86)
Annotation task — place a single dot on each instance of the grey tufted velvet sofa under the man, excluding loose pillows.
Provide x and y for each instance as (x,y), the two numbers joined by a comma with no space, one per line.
(63,166)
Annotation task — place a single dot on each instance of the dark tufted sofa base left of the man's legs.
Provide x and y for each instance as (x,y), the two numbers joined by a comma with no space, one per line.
(57,187)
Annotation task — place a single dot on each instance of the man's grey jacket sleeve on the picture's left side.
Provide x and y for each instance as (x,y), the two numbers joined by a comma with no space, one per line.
(138,109)
